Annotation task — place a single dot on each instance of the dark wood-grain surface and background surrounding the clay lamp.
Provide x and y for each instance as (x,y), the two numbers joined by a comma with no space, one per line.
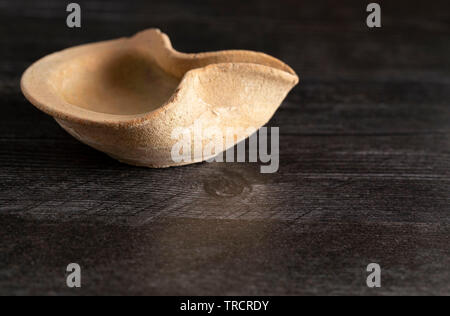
(364,172)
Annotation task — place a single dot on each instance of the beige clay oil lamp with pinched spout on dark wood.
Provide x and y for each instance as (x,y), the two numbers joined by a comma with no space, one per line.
(125,97)
